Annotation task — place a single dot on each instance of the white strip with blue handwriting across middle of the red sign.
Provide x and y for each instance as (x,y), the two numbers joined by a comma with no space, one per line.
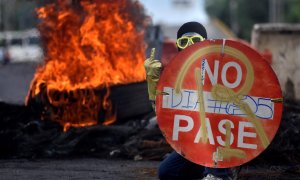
(187,100)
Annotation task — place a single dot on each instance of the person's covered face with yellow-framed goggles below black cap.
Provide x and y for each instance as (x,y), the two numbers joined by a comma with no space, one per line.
(188,39)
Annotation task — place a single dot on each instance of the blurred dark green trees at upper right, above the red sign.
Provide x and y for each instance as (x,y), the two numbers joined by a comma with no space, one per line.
(247,13)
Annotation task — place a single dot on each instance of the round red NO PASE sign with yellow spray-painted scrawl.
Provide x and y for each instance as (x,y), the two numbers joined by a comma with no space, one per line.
(219,103)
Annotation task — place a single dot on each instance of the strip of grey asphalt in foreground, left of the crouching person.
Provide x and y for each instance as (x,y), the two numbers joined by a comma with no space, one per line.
(77,169)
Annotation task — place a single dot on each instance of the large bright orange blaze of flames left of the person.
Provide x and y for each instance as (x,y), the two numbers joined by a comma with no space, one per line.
(89,44)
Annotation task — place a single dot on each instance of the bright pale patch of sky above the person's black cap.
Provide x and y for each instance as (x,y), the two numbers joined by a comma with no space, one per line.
(175,12)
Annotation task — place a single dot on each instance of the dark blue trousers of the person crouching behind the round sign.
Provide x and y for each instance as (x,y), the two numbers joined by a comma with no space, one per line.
(176,167)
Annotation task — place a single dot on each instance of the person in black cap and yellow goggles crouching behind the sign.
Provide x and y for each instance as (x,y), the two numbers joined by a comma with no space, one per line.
(175,166)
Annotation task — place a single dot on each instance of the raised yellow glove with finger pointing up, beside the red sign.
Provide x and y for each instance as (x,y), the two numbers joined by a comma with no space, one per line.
(153,69)
